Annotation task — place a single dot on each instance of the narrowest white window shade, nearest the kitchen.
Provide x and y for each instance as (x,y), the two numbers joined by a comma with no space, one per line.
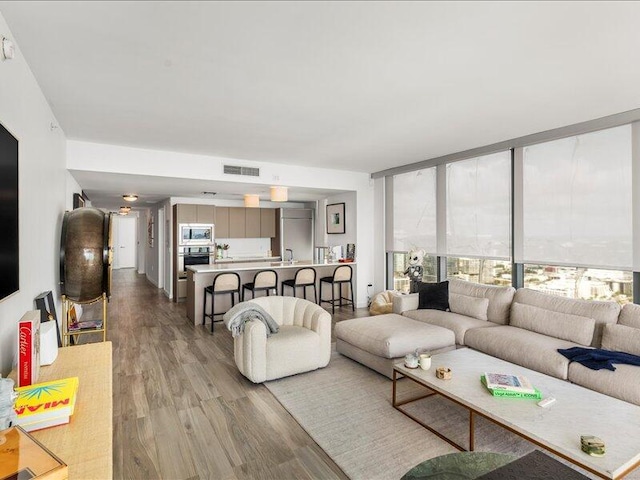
(414,211)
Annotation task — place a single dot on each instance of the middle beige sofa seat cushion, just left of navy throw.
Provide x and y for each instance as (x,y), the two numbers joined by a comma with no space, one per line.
(522,347)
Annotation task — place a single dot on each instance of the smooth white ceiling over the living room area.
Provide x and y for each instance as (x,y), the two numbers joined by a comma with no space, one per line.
(360,86)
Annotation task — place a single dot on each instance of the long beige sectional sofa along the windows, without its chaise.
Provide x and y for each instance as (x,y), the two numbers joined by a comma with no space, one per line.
(527,327)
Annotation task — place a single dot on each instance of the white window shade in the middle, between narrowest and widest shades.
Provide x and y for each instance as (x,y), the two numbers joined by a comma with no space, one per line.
(479,207)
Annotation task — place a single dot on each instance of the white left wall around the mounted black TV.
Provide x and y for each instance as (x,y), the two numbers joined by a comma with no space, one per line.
(43,192)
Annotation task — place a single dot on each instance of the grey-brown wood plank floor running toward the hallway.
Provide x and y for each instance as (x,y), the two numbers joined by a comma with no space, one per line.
(181,410)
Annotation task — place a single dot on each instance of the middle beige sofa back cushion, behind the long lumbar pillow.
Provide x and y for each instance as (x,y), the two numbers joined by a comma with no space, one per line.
(601,312)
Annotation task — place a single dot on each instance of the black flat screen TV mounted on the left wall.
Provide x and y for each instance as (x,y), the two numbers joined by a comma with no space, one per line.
(9,244)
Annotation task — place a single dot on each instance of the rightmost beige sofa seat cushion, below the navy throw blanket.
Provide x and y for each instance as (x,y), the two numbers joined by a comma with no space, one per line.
(622,384)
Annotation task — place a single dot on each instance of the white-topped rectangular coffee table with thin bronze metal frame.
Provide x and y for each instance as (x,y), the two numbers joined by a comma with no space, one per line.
(577,411)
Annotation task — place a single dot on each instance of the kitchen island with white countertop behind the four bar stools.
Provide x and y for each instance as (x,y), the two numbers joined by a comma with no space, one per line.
(200,276)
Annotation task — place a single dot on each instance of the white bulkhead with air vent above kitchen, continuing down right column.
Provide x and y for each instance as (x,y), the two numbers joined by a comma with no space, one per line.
(138,161)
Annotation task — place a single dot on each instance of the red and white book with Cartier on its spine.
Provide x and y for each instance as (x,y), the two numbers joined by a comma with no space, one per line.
(28,348)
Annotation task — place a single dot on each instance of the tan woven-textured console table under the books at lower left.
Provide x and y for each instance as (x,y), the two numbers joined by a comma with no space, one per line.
(86,443)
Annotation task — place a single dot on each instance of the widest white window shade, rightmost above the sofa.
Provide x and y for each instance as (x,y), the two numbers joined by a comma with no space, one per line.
(577,201)
